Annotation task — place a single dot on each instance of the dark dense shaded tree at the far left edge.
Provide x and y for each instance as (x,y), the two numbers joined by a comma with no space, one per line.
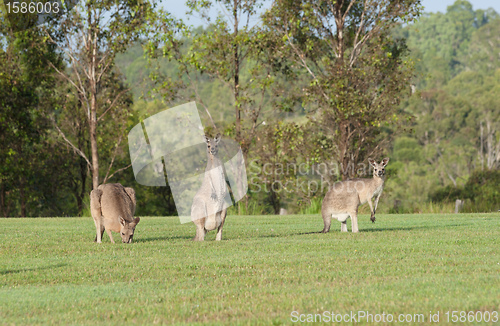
(27,87)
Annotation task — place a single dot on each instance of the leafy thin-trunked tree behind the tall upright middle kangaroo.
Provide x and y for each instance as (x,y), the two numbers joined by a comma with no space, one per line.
(230,51)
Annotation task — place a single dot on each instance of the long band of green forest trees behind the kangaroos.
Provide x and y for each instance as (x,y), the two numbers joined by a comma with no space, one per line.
(307,105)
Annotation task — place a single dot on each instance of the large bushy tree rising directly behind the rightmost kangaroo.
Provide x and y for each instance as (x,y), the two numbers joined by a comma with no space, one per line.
(356,71)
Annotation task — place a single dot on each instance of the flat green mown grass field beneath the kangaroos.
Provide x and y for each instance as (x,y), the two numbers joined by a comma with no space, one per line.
(266,267)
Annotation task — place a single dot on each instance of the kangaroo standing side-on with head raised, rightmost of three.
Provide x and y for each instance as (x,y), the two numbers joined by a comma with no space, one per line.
(345,197)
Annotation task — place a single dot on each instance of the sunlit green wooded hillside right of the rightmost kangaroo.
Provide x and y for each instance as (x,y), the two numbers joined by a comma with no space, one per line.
(456,125)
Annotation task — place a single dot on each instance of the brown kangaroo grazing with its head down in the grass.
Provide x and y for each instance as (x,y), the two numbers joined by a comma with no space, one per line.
(113,208)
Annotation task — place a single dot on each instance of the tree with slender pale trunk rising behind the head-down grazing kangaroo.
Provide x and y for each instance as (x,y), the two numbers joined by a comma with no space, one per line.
(89,36)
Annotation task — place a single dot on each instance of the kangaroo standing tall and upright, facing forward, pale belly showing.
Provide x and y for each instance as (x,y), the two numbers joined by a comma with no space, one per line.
(208,212)
